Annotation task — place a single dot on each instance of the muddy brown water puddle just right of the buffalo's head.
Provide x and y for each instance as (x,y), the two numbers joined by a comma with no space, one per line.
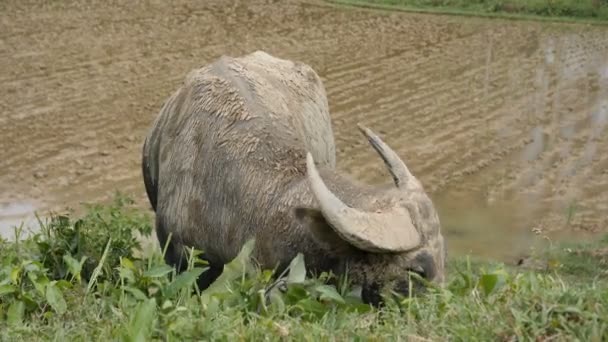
(502,230)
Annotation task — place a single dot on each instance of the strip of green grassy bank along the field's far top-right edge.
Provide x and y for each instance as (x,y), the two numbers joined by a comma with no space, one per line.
(592,11)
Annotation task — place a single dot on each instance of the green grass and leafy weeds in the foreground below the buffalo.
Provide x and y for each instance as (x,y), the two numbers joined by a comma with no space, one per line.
(86,279)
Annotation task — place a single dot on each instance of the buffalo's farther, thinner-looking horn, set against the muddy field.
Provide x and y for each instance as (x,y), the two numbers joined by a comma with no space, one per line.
(401,174)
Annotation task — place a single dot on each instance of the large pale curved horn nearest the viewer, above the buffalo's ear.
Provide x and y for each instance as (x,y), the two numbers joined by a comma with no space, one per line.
(388,231)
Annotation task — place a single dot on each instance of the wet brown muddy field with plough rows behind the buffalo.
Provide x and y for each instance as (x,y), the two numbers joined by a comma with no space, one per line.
(504,122)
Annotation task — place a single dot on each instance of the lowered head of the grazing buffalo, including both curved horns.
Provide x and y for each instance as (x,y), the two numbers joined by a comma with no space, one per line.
(386,235)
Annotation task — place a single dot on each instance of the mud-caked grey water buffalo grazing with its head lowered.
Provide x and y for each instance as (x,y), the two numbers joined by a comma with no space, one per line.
(245,149)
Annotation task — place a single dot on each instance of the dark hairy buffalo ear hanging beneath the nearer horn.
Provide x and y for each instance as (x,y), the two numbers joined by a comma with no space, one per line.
(322,232)
